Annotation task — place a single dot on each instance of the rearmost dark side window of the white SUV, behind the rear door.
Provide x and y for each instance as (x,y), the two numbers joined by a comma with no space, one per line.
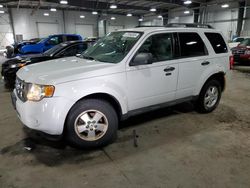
(217,42)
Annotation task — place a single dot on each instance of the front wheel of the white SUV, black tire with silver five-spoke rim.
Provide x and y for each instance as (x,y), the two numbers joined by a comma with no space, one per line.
(91,123)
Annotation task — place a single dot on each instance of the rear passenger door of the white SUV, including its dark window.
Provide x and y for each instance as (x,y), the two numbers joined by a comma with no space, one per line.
(193,61)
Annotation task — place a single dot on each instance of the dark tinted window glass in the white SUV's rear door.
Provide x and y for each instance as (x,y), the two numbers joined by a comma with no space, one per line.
(191,45)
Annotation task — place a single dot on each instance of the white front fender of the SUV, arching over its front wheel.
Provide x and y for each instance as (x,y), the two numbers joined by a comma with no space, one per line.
(111,85)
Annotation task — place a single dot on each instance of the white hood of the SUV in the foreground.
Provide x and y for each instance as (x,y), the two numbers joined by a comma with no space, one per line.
(64,70)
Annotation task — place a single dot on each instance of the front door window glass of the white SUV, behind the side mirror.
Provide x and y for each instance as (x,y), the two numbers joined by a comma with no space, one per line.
(160,46)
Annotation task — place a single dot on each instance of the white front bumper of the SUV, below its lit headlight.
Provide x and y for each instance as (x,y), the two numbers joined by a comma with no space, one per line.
(47,115)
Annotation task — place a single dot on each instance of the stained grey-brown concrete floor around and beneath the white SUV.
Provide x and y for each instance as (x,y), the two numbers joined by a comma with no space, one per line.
(177,147)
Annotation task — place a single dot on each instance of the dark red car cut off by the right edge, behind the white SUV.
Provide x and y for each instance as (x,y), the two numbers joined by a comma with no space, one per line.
(241,53)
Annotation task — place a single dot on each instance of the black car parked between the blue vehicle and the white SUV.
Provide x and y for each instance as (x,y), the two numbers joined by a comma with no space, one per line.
(66,49)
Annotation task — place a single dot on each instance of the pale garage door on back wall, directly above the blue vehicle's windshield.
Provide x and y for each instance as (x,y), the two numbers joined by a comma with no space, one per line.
(45,29)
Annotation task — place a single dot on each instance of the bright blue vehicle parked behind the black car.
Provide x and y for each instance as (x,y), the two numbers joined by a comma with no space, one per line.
(48,43)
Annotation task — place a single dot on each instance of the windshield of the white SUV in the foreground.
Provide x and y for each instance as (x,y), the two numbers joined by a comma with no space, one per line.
(113,47)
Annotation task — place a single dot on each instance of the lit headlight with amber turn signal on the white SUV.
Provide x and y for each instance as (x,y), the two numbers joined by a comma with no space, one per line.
(38,92)
